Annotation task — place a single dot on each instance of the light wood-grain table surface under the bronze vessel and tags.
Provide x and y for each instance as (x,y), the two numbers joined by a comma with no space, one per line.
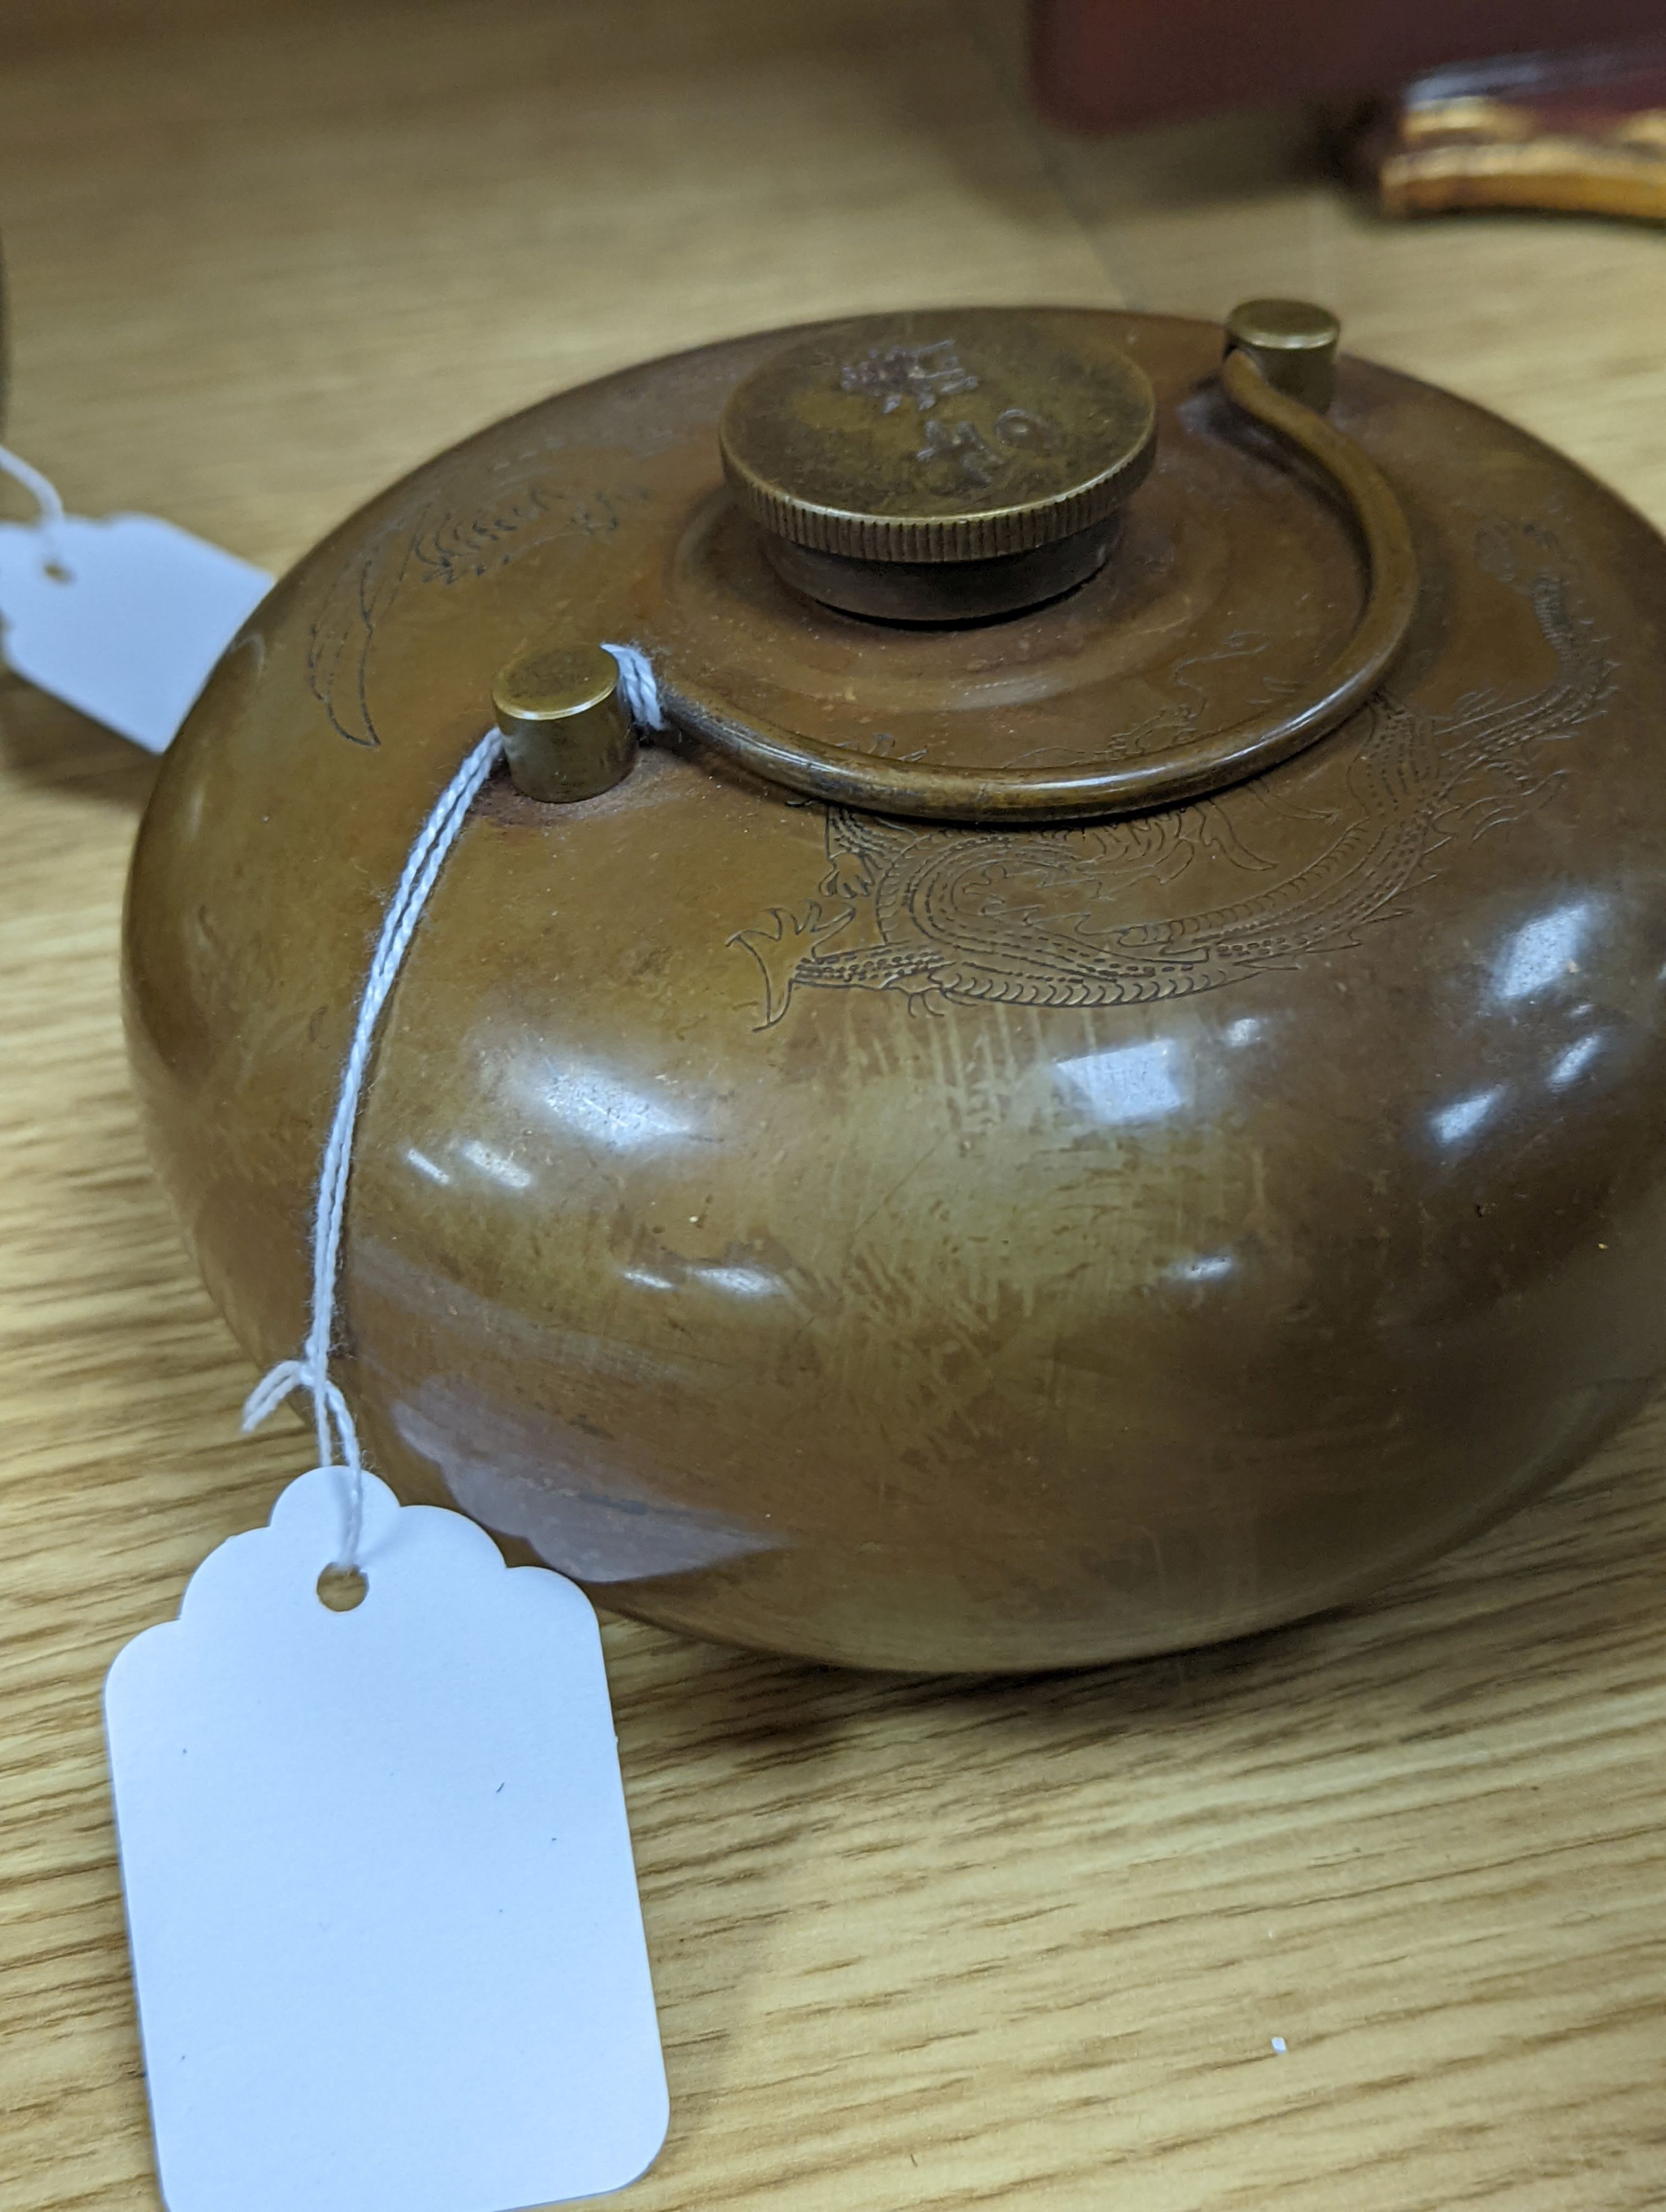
(917,1945)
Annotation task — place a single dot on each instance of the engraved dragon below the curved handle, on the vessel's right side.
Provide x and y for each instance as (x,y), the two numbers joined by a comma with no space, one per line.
(1041,919)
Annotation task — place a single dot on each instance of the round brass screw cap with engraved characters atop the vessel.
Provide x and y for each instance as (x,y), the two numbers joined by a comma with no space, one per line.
(937,468)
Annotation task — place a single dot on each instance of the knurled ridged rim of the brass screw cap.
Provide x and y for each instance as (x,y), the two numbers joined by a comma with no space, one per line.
(937,539)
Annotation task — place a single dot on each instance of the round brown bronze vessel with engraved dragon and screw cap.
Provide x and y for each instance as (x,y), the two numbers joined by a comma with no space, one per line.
(1001,1140)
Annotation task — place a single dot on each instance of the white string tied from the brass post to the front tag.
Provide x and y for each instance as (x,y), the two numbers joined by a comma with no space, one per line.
(437,837)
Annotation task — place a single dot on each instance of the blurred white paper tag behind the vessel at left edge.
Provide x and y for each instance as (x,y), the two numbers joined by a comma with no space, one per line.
(123,618)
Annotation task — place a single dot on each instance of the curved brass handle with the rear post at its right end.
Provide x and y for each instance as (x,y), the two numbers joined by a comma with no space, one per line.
(1278,371)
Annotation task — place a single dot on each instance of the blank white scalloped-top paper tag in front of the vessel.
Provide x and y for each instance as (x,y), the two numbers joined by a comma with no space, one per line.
(379,1884)
